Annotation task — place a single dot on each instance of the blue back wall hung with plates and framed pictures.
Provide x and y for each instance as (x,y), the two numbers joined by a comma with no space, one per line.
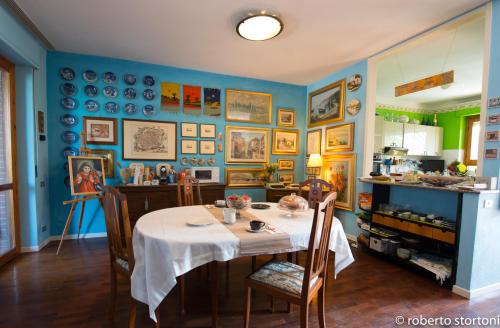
(284,95)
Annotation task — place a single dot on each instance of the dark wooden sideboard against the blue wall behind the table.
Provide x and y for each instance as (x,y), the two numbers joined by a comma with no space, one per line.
(145,199)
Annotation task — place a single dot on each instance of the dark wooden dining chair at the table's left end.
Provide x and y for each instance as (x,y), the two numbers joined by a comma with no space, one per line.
(121,253)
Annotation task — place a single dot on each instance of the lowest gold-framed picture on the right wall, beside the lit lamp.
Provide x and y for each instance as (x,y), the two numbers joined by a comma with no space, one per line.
(340,171)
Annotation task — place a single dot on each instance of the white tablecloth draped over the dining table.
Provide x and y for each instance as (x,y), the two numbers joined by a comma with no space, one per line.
(165,247)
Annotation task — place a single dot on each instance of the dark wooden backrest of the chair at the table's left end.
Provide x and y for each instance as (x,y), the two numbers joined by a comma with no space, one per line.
(119,232)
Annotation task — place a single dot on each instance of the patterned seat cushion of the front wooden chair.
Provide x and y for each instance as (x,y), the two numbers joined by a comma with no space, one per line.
(283,275)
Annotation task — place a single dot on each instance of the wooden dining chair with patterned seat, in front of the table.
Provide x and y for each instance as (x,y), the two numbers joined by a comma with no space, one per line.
(293,283)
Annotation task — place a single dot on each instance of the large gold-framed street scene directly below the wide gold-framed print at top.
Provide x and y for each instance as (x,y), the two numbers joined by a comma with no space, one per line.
(247,145)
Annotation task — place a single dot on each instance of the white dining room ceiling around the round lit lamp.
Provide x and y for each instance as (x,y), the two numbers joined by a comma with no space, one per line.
(319,37)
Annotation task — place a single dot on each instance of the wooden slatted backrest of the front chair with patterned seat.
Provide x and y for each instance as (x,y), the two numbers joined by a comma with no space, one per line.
(317,258)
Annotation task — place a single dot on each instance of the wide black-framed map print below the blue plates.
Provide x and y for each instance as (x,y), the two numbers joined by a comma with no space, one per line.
(149,140)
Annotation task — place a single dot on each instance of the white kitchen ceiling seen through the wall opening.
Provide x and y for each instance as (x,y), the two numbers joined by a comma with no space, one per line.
(457,47)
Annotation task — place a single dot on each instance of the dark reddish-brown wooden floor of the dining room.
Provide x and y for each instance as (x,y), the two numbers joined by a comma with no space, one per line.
(71,290)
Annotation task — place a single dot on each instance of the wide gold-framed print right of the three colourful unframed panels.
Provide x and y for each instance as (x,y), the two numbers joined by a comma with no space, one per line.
(248,106)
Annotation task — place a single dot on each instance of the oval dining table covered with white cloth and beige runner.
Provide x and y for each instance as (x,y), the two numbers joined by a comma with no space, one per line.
(170,242)
